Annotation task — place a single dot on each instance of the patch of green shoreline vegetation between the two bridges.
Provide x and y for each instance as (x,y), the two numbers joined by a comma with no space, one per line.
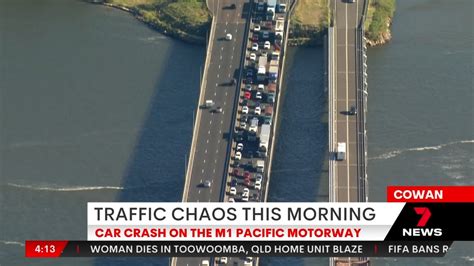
(309,22)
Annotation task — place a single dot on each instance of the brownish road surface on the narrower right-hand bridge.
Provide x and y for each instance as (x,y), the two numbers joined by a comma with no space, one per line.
(347,18)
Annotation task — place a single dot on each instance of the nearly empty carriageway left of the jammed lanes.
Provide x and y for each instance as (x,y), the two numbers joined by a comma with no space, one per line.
(211,142)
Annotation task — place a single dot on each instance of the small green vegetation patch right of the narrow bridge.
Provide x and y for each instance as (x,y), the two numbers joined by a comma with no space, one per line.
(378,20)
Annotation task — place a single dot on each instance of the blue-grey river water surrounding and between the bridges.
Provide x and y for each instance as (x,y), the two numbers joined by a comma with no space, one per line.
(97,107)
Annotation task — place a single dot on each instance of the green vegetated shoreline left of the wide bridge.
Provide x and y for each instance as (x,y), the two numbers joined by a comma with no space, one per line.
(184,19)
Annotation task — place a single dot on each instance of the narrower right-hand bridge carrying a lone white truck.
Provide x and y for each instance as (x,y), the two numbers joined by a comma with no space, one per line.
(347,98)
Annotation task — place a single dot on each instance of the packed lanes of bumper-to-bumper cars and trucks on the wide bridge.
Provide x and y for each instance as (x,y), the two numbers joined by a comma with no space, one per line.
(258,90)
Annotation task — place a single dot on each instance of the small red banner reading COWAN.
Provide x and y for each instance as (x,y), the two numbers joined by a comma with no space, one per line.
(430,194)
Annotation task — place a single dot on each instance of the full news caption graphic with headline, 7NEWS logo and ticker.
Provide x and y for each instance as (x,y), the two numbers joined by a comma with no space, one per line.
(416,228)
